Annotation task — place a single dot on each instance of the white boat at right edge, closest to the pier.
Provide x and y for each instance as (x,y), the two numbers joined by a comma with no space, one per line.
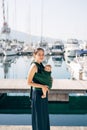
(78,68)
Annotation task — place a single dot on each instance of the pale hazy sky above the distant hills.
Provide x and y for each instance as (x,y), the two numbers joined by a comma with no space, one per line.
(61,18)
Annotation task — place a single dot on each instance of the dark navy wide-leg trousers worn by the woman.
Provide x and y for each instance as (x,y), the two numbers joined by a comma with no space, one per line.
(40,116)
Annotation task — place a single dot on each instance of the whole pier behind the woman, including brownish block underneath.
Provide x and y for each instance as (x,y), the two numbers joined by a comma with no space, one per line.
(60,90)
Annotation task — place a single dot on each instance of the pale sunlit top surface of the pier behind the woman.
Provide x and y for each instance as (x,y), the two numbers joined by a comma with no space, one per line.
(58,84)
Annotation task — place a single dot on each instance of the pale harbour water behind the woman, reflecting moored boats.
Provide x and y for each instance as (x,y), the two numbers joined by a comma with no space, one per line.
(18,66)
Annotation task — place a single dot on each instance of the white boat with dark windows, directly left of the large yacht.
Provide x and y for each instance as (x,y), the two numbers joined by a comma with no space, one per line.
(57,48)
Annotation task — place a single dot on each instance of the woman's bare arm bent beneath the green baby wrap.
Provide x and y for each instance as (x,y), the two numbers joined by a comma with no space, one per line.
(32,71)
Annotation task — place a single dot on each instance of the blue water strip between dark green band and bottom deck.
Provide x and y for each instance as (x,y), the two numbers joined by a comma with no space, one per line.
(55,120)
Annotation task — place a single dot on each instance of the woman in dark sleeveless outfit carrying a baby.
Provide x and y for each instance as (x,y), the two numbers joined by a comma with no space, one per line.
(40,116)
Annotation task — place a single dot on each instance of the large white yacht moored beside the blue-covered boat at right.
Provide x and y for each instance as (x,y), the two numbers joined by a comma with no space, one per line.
(71,47)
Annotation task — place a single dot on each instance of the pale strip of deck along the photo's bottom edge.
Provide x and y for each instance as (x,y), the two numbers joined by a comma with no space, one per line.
(52,128)
